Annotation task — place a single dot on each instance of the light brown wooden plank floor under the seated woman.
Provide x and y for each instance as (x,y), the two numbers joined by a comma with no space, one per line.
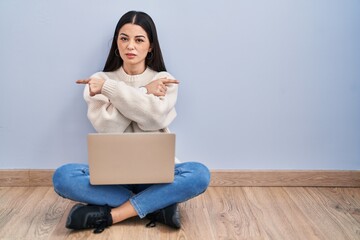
(220,213)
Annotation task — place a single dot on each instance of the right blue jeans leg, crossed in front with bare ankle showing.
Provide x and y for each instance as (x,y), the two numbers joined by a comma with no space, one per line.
(191,179)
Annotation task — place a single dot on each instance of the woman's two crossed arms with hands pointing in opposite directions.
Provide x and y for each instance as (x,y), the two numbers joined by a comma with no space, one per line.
(114,105)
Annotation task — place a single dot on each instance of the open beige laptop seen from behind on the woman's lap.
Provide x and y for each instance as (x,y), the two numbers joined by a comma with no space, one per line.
(131,158)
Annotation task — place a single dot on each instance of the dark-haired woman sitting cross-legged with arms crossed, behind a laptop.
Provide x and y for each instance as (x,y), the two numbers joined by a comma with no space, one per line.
(134,93)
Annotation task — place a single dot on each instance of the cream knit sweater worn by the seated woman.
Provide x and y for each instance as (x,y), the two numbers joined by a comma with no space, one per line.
(122,107)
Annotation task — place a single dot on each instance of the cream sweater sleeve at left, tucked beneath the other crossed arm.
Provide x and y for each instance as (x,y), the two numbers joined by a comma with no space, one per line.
(102,114)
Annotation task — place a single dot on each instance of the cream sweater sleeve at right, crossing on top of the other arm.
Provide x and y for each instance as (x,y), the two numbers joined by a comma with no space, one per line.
(148,111)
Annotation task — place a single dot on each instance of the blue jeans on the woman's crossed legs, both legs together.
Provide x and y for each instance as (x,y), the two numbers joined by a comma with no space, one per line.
(191,179)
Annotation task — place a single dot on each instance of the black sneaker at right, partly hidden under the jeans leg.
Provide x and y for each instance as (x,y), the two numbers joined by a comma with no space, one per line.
(169,216)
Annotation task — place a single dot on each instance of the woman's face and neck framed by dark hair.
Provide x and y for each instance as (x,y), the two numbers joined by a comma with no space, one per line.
(134,45)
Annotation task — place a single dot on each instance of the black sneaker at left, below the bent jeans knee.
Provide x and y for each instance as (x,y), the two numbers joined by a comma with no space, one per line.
(89,216)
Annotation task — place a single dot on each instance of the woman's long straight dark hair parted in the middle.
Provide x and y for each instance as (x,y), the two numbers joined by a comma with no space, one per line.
(156,61)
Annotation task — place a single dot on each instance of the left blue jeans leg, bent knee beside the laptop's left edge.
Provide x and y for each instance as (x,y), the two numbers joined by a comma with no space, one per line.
(72,181)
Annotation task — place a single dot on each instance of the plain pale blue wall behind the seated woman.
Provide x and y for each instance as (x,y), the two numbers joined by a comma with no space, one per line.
(264,84)
